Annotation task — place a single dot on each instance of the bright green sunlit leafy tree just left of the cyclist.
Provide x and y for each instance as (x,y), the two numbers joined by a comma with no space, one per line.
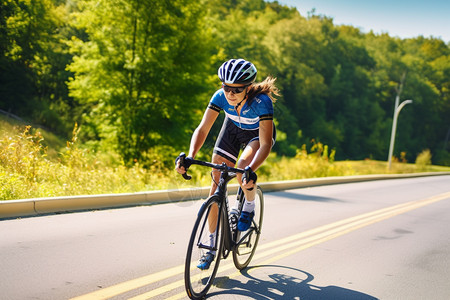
(142,65)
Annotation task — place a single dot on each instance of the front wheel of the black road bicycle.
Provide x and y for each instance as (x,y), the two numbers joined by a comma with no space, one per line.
(197,281)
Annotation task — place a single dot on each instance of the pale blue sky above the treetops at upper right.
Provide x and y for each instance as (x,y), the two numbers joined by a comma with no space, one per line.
(398,18)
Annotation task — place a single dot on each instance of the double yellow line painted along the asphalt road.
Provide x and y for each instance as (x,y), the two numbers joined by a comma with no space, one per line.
(273,251)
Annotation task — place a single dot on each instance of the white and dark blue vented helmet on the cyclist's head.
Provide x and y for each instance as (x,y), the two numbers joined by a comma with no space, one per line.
(237,71)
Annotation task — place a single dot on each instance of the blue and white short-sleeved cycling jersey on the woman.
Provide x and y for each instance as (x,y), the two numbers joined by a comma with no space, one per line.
(257,109)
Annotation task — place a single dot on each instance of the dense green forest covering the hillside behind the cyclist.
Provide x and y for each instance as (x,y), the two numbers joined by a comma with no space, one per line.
(135,76)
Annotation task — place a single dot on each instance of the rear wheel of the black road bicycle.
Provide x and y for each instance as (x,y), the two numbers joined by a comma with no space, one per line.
(248,240)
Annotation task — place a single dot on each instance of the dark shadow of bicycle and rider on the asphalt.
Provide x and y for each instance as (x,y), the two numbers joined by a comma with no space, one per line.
(281,282)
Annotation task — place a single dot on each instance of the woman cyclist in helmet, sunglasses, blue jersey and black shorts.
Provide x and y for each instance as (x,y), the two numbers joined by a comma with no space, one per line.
(248,122)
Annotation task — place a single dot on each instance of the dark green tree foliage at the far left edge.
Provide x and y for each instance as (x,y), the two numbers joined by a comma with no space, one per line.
(33,57)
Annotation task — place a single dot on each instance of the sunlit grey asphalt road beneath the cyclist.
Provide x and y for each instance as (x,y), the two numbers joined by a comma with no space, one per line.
(387,239)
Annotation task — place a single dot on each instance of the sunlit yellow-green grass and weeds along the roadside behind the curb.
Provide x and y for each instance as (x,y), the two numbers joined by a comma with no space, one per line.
(32,167)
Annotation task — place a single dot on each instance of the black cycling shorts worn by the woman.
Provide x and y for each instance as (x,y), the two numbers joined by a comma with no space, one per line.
(232,138)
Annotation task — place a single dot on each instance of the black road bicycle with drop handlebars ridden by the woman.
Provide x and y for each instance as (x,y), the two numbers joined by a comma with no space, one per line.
(214,215)
